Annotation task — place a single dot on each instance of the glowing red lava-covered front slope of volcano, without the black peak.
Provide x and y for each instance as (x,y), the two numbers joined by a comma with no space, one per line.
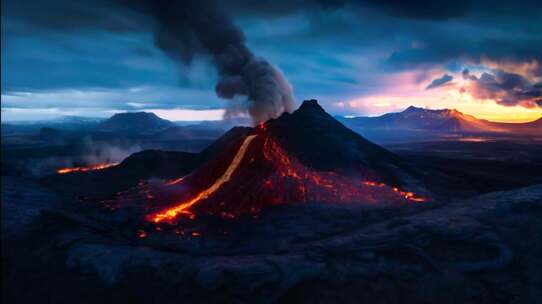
(262,174)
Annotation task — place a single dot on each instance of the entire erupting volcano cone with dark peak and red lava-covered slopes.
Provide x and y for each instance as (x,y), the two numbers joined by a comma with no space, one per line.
(306,156)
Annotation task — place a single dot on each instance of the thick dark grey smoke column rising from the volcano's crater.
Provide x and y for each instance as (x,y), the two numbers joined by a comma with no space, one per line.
(186,28)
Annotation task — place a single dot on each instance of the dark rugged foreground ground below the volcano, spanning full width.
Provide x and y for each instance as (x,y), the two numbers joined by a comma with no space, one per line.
(485,249)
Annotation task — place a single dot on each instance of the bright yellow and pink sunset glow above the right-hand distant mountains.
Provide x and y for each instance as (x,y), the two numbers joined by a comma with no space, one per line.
(406,90)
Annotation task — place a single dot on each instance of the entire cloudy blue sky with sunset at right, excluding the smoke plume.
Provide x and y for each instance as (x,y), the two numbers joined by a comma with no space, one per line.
(96,58)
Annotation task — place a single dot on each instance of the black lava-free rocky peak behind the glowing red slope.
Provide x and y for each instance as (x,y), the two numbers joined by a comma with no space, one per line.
(321,142)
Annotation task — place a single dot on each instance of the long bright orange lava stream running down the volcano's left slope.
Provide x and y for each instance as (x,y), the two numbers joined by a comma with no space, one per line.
(183,207)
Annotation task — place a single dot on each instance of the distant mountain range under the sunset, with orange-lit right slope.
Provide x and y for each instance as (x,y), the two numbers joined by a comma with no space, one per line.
(445,120)
